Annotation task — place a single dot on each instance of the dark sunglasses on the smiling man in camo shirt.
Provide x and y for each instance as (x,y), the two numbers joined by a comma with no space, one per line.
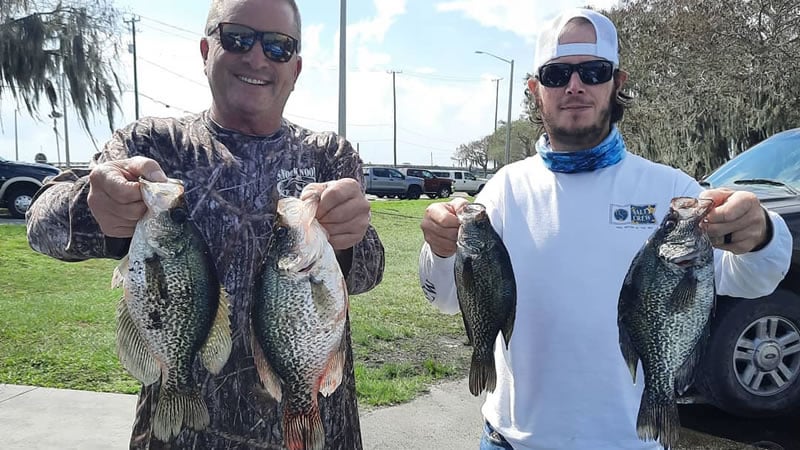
(237,38)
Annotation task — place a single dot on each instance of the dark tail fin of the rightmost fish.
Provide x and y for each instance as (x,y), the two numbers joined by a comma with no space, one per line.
(659,421)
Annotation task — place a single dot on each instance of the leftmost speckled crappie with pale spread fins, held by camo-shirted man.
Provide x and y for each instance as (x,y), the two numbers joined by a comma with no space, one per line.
(172,309)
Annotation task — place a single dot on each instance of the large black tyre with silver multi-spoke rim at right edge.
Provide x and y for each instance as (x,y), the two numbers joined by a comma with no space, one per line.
(751,365)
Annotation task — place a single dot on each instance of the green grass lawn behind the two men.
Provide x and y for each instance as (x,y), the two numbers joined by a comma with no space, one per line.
(57,319)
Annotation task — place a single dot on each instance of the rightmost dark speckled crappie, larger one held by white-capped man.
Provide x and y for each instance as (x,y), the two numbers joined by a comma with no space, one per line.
(663,317)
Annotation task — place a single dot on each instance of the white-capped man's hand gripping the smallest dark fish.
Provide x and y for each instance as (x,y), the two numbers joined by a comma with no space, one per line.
(440,226)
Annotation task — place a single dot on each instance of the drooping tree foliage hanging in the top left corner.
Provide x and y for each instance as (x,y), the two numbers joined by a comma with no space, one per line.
(43,43)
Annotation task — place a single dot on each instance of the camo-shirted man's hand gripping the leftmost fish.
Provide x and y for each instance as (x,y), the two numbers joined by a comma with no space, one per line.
(115,198)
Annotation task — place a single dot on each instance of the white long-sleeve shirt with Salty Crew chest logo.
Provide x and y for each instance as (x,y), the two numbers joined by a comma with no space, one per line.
(563,383)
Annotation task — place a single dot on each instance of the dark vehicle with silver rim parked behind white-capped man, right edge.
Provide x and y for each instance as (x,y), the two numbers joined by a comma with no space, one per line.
(751,364)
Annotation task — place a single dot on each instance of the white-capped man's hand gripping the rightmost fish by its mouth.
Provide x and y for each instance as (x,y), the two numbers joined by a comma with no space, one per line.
(738,222)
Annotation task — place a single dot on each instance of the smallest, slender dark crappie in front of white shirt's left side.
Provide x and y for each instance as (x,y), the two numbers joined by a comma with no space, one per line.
(487,292)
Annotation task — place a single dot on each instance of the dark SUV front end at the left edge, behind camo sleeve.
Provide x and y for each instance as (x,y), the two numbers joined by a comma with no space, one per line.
(19,181)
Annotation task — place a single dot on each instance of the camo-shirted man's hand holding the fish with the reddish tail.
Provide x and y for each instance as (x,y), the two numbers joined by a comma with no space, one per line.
(343,211)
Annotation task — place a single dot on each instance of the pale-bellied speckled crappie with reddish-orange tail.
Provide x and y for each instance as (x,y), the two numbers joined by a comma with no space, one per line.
(298,319)
